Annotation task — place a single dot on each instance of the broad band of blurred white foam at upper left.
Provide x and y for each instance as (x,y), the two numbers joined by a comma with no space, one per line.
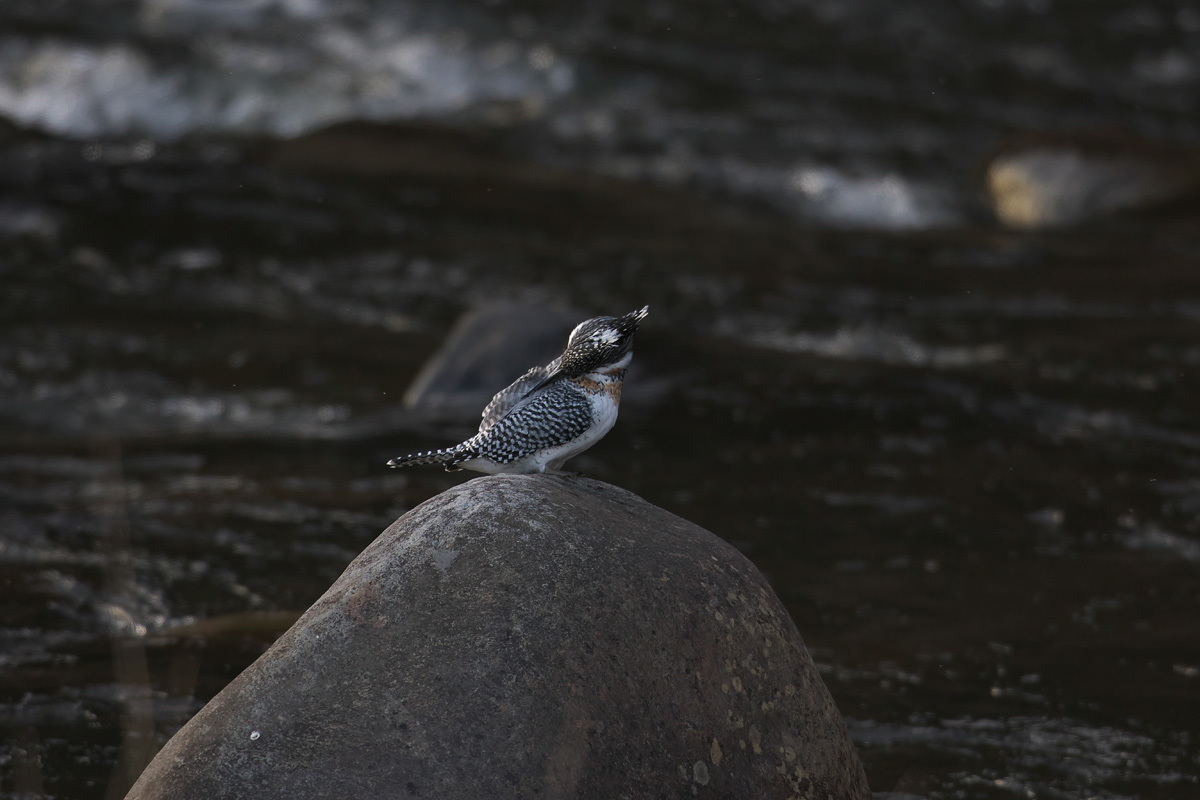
(226,76)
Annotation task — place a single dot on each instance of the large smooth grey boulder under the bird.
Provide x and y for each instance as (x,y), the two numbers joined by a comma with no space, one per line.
(527,636)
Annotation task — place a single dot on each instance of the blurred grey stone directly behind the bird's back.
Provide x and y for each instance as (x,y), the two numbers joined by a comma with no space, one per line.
(488,350)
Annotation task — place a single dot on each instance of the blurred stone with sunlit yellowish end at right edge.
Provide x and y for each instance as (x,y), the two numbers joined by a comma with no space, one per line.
(1048,184)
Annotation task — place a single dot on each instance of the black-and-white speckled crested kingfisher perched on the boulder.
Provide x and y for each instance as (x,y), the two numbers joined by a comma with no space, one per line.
(551,413)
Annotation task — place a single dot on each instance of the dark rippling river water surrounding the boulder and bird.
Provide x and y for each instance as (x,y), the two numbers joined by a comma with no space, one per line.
(968,458)
